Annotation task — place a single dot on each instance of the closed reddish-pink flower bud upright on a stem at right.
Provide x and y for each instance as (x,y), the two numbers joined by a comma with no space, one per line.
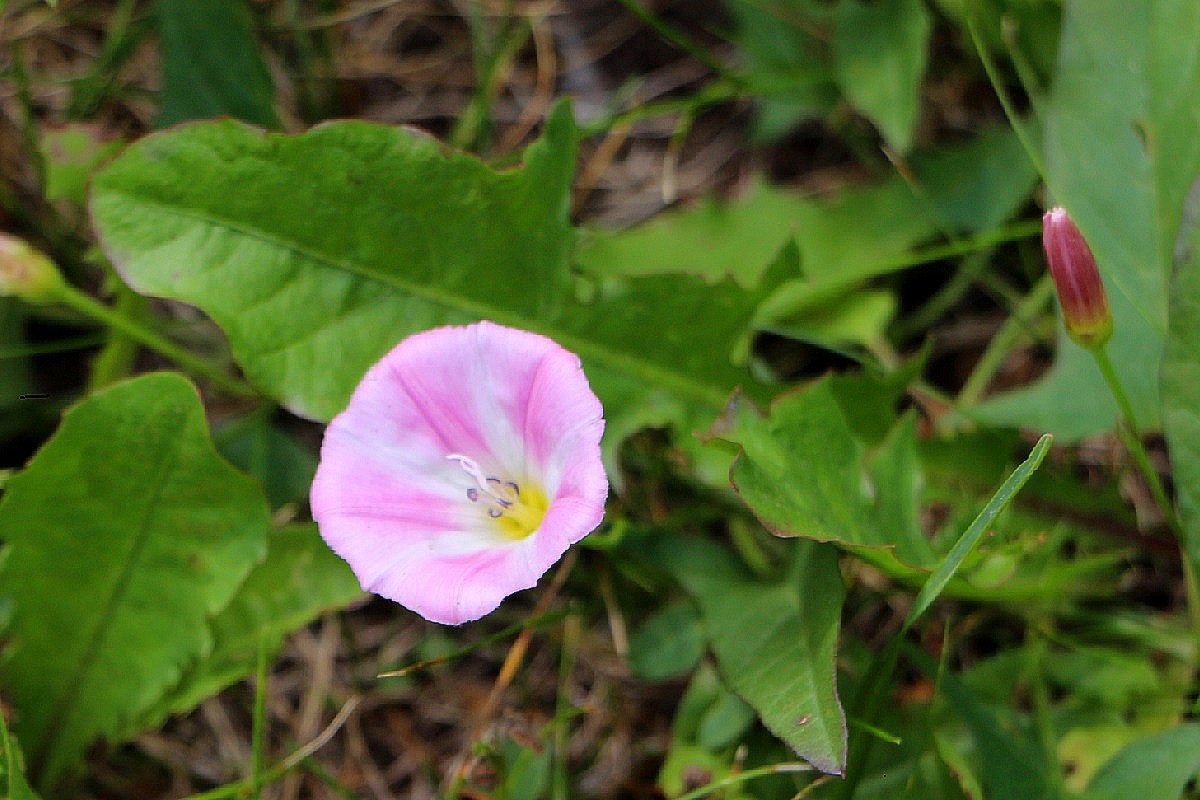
(1085,308)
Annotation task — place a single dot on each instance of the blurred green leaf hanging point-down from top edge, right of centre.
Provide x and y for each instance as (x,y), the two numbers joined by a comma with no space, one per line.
(880,55)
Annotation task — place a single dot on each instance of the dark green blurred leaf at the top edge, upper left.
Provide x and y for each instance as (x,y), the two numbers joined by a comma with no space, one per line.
(212,65)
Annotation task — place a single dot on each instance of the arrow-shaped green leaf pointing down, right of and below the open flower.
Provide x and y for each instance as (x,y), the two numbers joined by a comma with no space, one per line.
(776,643)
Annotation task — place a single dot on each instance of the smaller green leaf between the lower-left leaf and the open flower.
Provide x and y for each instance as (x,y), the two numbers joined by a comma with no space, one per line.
(299,580)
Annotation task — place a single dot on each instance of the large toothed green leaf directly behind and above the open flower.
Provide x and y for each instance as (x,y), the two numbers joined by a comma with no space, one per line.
(319,252)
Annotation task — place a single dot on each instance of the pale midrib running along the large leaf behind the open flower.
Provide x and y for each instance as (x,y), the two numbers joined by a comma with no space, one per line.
(711,395)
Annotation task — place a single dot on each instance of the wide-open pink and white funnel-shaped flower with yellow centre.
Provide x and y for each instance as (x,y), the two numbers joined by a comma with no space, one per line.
(466,464)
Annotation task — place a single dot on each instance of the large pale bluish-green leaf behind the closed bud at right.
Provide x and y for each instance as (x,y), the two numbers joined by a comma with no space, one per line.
(1120,153)
